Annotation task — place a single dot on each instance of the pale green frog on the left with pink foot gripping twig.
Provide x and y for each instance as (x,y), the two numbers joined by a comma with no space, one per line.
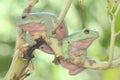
(41,24)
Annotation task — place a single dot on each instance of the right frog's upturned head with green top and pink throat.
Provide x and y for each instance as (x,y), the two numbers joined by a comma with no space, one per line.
(82,40)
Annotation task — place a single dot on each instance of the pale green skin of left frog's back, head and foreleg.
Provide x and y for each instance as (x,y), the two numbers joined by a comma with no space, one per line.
(46,18)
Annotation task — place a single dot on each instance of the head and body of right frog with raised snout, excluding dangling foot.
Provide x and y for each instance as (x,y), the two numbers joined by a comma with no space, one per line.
(74,46)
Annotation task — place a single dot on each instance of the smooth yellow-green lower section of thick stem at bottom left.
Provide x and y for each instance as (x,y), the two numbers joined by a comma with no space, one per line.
(17,68)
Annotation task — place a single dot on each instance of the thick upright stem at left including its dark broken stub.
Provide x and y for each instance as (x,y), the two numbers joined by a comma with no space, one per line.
(22,57)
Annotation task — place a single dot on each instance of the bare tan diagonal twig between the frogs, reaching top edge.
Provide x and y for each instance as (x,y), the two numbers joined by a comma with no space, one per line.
(62,14)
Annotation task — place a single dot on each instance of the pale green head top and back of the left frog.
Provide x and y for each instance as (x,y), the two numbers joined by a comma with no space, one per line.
(37,17)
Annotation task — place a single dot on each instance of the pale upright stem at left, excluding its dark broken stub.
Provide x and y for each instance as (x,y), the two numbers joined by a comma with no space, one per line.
(18,64)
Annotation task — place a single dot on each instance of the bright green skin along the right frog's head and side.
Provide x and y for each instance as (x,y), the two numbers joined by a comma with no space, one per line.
(81,35)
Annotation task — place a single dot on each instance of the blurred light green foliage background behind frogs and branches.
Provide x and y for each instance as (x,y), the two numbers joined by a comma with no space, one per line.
(91,14)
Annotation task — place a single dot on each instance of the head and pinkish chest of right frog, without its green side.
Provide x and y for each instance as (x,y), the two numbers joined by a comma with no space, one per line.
(78,44)
